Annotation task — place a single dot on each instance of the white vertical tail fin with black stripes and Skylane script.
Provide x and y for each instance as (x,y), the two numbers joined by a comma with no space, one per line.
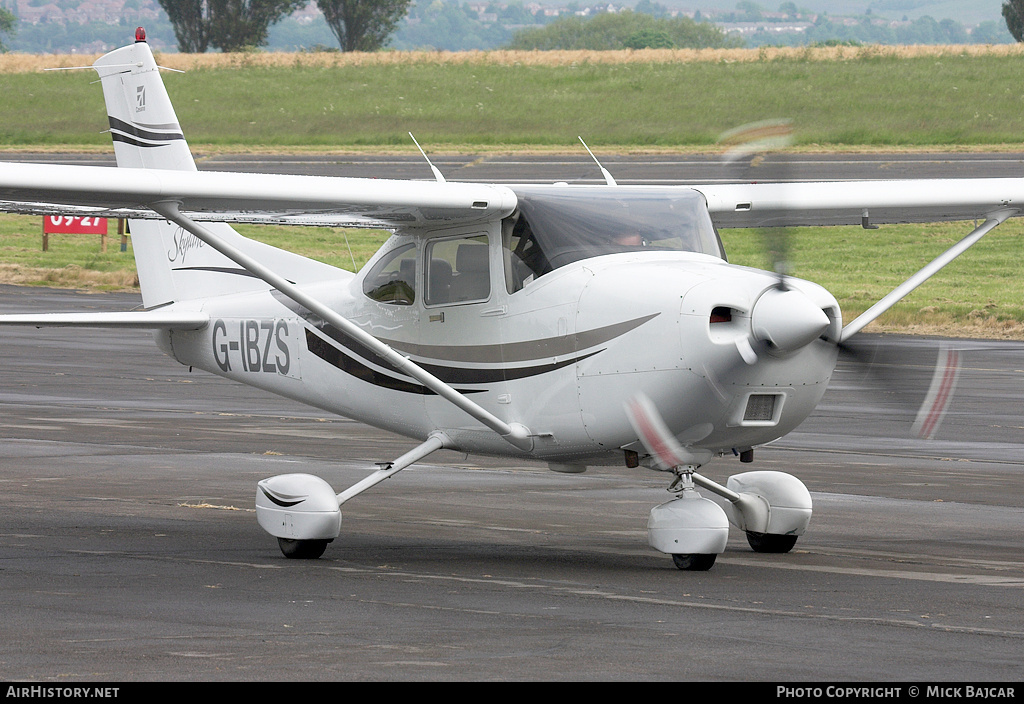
(173,265)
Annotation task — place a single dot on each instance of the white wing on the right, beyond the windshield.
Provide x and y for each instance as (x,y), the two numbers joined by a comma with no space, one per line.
(860,203)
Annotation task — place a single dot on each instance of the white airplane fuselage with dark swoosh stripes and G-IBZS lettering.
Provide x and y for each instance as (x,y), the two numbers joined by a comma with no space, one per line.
(562,356)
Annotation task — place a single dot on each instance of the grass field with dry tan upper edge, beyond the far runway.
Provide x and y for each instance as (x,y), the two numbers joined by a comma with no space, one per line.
(879,101)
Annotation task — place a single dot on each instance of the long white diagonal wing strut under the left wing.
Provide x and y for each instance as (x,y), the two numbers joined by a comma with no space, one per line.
(516,433)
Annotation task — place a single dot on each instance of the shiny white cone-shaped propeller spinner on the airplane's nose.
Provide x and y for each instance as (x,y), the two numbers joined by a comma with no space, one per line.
(788,320)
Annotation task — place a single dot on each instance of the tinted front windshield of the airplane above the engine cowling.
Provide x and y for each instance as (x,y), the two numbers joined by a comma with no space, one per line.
(562,226)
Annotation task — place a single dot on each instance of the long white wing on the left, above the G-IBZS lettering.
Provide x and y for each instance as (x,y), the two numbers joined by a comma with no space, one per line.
(211,196)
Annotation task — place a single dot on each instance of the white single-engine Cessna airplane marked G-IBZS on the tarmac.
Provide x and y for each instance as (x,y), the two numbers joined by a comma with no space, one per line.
(578,326)
